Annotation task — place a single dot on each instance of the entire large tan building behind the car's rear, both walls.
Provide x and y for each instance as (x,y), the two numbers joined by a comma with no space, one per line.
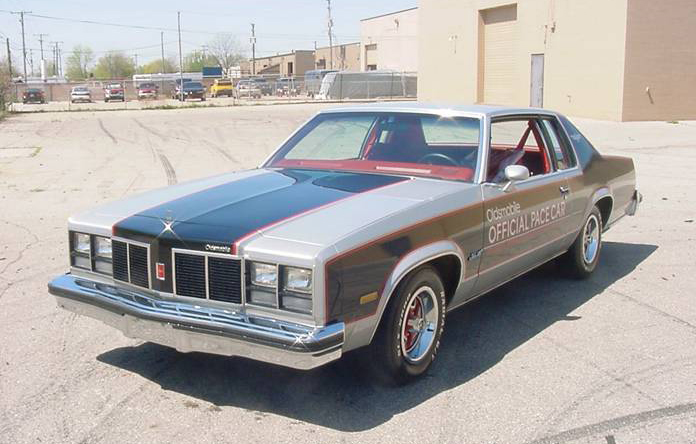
(605,59)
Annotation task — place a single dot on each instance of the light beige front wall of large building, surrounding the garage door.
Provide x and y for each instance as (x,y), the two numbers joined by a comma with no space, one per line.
(583,43)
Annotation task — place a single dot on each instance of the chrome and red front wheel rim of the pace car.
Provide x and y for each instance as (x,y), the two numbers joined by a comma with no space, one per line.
(419,325)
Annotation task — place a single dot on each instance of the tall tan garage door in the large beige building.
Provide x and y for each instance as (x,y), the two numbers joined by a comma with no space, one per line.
(500,38)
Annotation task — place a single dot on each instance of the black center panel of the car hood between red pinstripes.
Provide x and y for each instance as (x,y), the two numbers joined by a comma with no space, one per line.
(223,214)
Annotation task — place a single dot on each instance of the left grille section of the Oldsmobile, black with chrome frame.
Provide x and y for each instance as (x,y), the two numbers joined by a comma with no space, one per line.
(131,262)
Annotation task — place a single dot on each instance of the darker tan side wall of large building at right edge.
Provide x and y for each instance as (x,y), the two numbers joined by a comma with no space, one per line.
(661,56)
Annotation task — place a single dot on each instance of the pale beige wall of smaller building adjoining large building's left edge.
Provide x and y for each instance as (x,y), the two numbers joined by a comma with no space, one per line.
(396,37)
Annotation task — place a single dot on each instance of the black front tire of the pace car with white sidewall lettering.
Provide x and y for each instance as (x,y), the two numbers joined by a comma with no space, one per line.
(387,354)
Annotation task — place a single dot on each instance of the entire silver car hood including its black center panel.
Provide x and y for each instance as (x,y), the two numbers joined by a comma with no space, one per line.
(307,207)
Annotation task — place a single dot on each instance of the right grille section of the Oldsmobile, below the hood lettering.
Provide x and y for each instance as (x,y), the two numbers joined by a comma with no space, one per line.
(207,276)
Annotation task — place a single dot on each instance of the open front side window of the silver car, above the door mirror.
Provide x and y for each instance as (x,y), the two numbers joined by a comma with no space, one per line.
(516,142)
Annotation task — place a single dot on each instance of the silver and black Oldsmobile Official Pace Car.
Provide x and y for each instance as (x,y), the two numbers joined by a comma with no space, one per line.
(362,231)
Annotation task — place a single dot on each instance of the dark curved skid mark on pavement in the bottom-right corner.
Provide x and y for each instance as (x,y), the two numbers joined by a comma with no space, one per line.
(616,424)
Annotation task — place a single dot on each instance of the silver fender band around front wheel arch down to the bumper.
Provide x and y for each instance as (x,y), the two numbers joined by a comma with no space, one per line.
(361,332)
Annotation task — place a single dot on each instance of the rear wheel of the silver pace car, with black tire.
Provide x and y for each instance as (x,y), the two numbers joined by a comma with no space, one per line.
(580,261)
